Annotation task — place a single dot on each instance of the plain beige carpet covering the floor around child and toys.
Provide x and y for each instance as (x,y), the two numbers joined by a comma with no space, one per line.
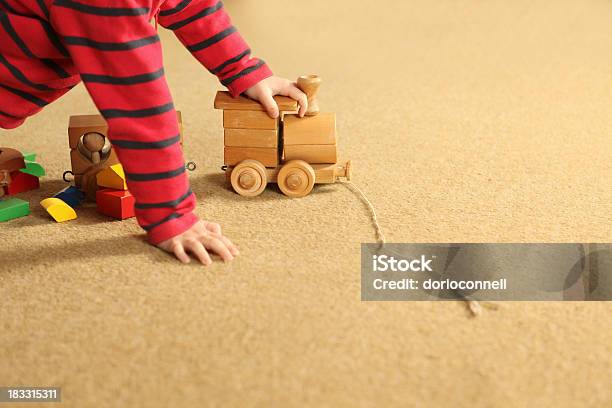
(477,121)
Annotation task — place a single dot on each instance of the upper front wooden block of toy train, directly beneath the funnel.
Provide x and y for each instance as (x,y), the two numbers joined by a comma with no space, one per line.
(318,130)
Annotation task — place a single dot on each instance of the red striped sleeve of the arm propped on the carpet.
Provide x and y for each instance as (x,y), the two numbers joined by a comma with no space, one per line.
(118,55)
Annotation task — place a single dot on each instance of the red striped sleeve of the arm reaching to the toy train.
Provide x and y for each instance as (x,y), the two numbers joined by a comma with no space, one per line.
(206,30)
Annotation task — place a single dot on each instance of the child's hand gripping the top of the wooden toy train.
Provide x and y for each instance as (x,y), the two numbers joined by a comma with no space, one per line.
(269,87)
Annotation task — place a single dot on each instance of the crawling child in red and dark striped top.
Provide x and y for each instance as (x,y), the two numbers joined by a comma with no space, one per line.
(49,46)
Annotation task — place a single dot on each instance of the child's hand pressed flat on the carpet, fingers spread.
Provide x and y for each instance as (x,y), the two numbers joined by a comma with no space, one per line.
(197,240)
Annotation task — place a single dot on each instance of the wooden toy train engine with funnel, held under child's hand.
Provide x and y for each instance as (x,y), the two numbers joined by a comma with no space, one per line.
(291,151)
